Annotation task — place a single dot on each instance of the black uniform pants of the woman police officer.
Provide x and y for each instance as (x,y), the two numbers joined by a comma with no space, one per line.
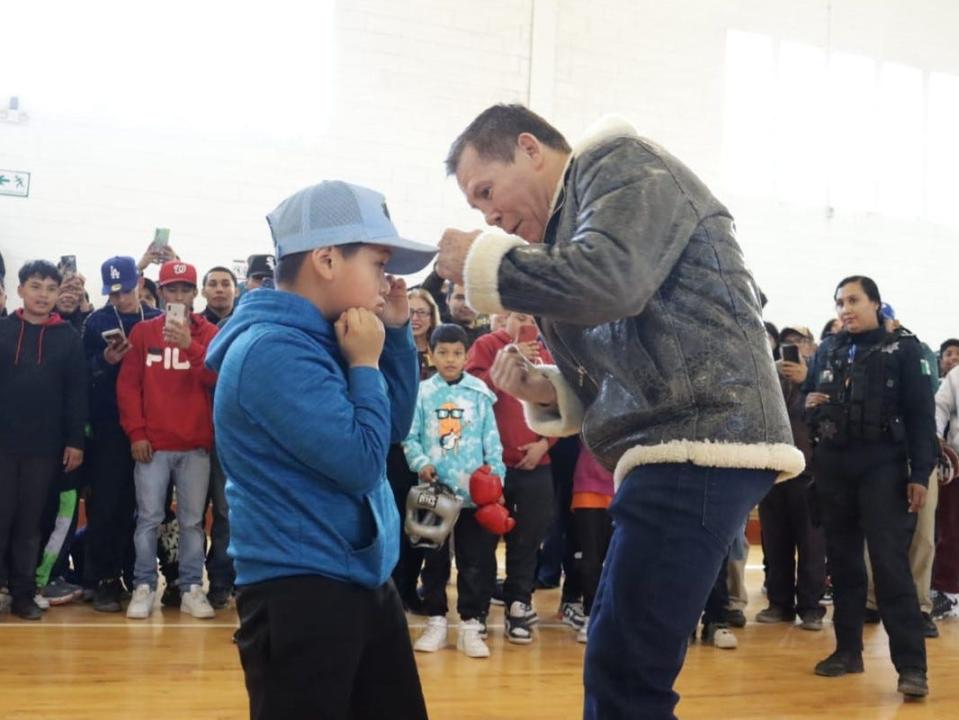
(861,491)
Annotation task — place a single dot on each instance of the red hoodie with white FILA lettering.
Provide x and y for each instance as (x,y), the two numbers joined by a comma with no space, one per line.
(164,392)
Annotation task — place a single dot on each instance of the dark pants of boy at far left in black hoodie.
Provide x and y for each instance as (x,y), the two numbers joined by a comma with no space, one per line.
(24,484)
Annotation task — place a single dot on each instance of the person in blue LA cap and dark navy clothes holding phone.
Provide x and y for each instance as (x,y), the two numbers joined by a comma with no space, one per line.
(110,505)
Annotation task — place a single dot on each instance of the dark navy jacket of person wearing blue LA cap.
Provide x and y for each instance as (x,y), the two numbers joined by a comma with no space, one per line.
(103,375)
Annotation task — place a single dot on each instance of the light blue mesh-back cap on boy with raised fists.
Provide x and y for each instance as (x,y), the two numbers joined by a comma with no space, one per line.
(338,213)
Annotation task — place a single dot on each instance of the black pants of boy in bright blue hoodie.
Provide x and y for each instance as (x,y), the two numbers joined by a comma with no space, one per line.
(313,647)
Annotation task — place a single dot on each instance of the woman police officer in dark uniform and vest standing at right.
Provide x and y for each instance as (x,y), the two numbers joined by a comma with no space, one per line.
(872,415)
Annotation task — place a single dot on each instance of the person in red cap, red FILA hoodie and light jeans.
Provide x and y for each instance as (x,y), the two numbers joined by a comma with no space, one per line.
(166,411)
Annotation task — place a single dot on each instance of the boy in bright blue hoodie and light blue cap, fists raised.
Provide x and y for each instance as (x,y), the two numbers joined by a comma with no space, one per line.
(315,381)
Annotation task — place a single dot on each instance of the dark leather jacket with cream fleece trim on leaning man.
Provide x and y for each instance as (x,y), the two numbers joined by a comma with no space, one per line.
(653,318)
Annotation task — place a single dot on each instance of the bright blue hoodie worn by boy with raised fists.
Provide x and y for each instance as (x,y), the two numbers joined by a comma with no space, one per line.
(303,439)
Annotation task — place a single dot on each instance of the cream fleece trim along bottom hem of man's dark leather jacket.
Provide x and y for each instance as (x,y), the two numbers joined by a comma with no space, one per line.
(787,459)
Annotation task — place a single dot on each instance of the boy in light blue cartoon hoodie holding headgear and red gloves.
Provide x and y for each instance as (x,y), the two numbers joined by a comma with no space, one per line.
(454,433)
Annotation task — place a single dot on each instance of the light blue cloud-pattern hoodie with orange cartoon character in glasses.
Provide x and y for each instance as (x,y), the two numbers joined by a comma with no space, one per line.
(454,430)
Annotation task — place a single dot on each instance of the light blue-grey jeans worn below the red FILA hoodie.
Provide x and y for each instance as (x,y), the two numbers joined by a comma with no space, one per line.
(191,477)
